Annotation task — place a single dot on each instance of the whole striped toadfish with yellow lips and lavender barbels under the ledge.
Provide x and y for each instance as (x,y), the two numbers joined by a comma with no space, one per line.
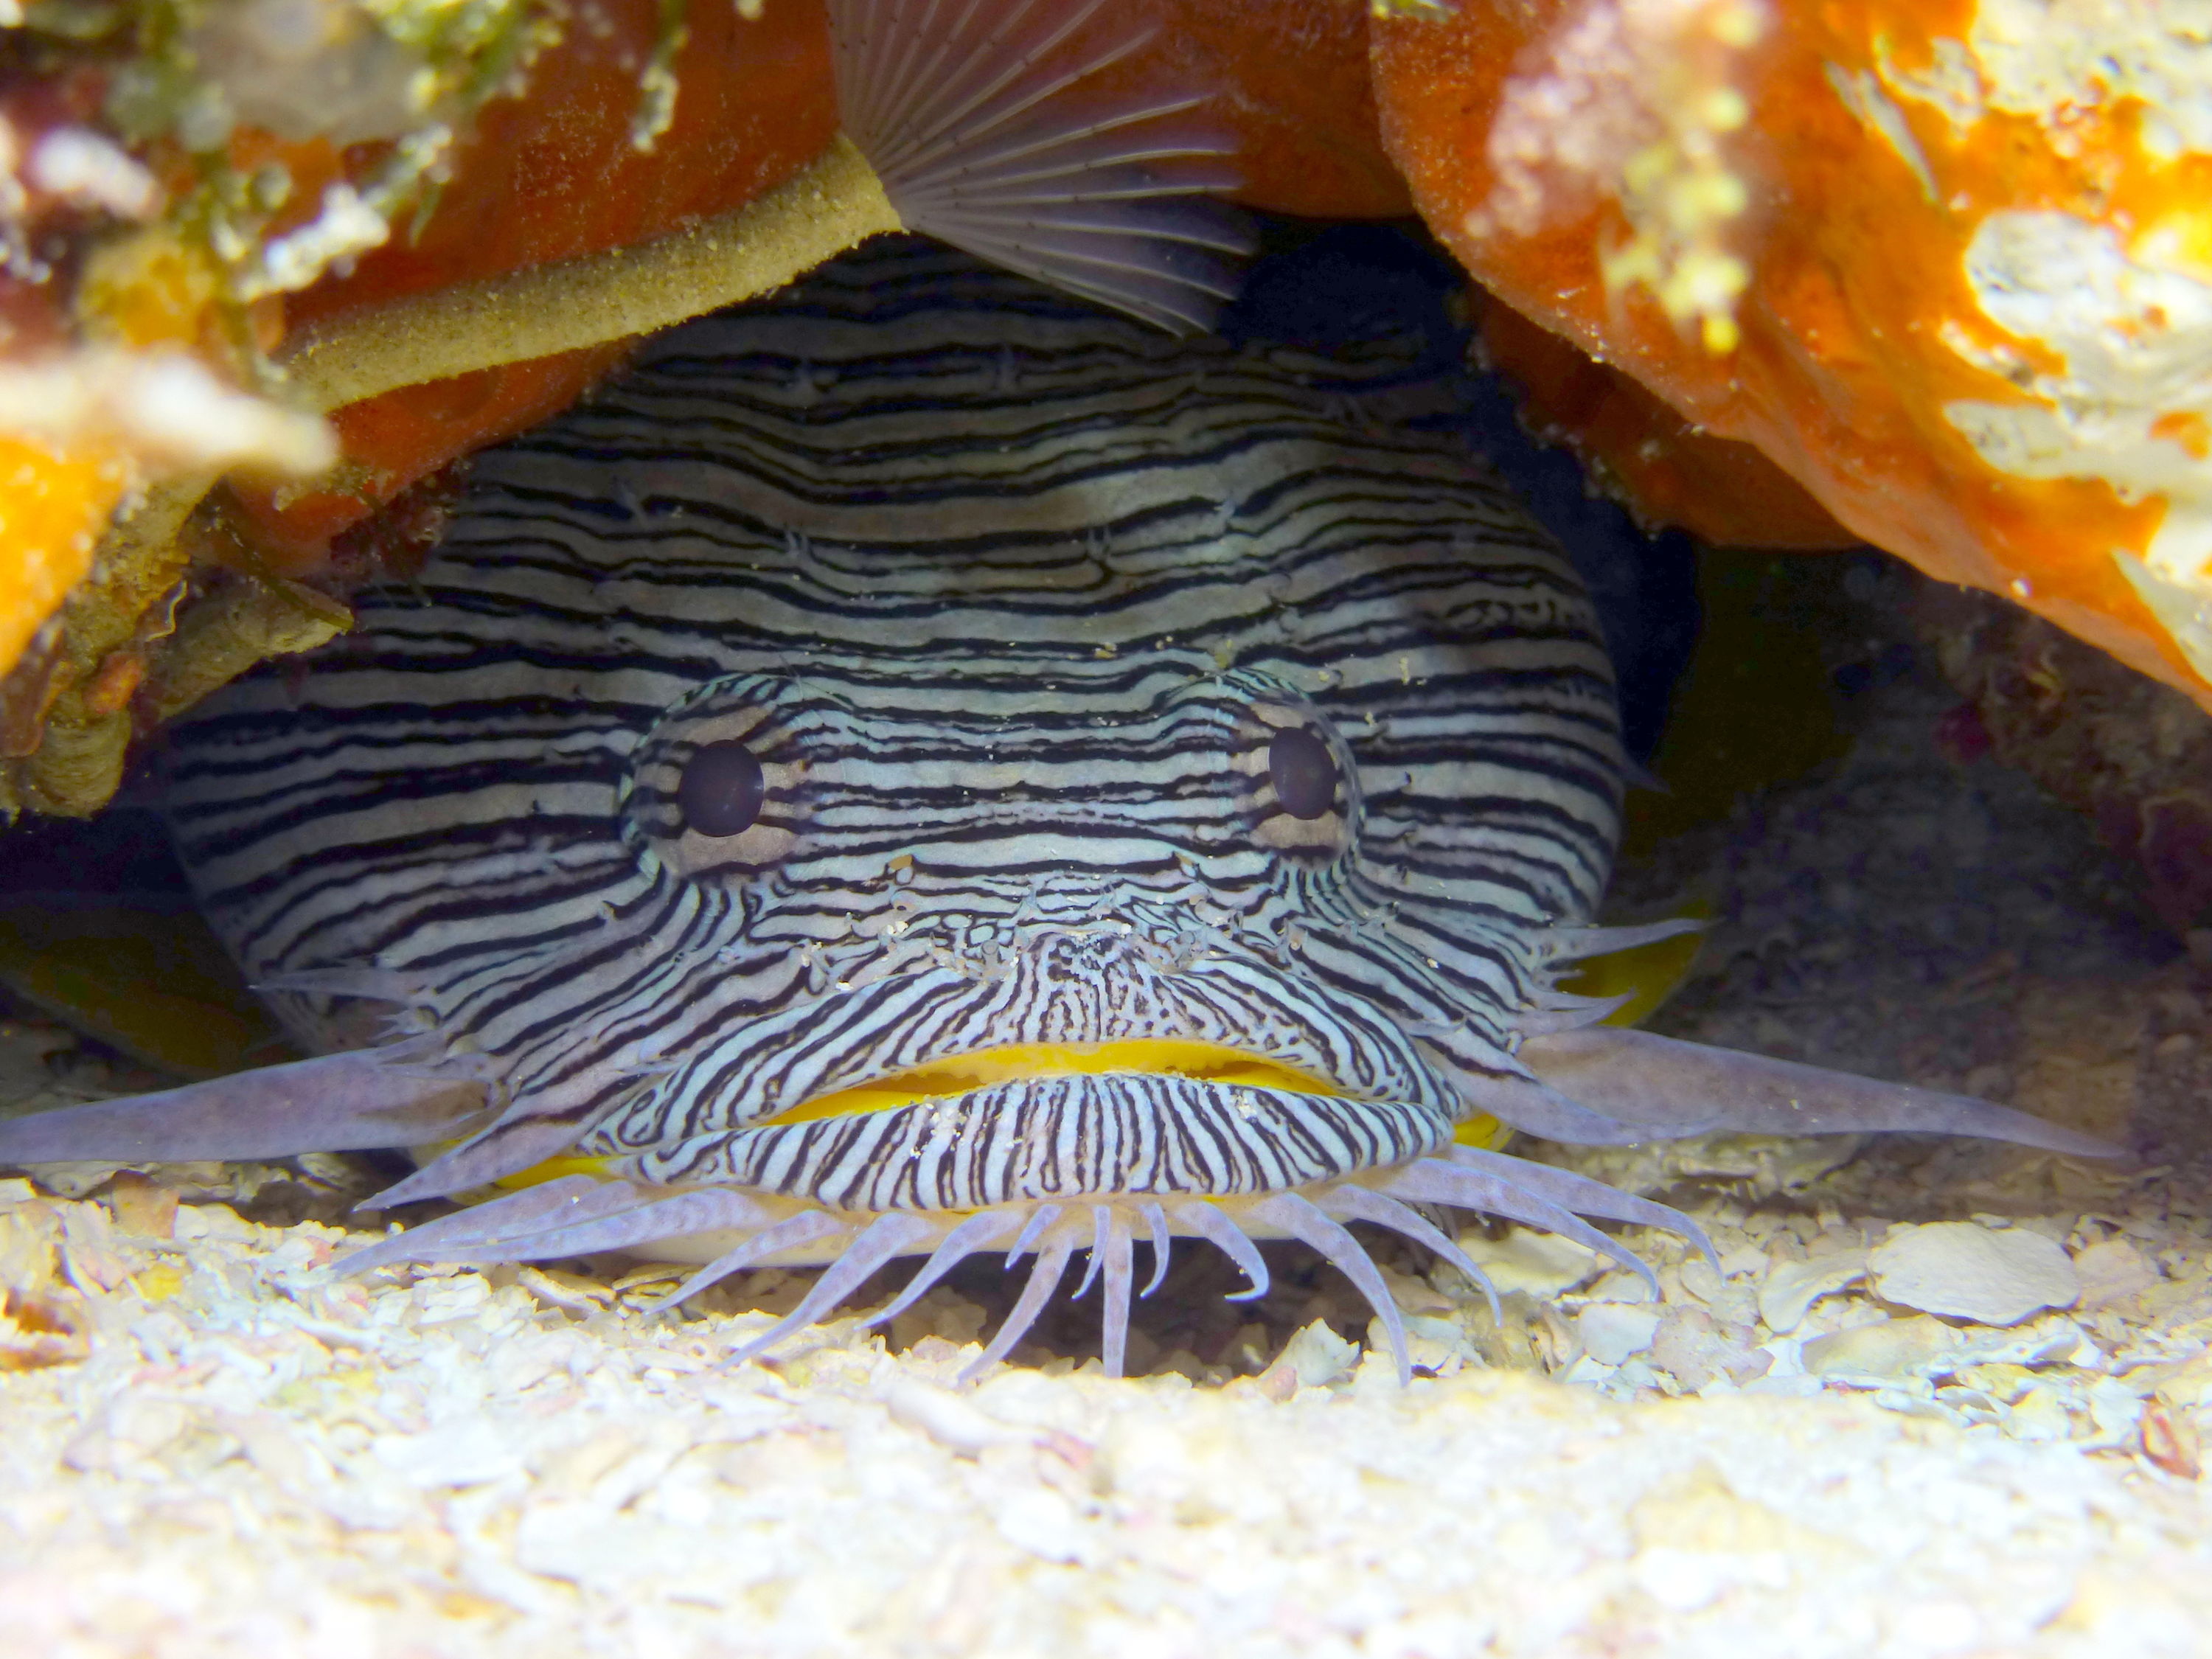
(928,766)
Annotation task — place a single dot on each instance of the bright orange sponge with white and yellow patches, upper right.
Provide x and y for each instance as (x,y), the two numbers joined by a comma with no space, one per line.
(1928,269)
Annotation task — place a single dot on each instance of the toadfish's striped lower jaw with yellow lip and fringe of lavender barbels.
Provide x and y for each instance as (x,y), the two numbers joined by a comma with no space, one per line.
(1041,1151)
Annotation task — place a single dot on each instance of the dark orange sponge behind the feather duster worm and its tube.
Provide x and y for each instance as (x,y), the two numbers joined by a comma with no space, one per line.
(556,174)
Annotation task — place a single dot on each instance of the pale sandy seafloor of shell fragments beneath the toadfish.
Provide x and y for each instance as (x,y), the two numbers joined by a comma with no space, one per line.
(216,1448)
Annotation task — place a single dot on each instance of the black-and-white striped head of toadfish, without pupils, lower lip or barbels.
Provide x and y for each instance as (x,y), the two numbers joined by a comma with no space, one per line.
(1010,598)
